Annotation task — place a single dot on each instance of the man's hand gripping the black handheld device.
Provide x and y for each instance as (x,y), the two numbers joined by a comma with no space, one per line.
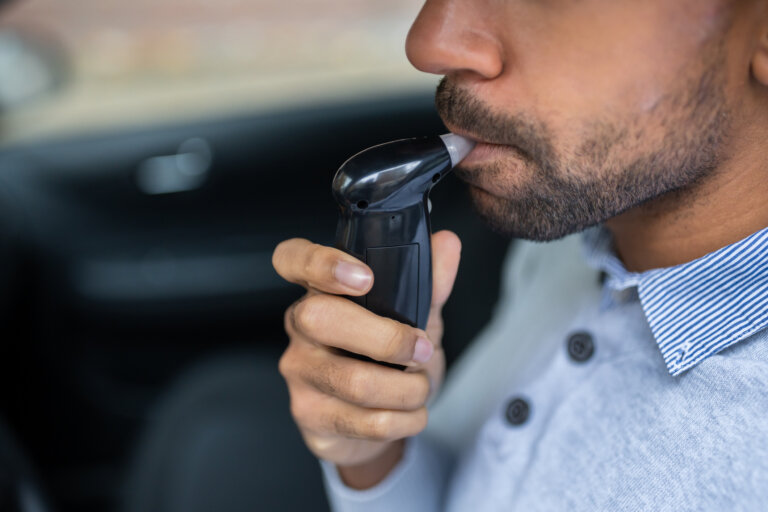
(352,412)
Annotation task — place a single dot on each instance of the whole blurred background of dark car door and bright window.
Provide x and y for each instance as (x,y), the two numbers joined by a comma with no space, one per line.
(152,154)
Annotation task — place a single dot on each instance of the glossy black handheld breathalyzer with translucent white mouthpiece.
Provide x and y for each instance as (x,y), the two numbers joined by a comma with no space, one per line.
(383,198)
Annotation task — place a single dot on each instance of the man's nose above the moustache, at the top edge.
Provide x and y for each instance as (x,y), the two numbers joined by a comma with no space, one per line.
(450,36)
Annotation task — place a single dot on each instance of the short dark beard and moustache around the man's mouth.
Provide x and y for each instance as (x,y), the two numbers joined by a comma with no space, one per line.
(531,190)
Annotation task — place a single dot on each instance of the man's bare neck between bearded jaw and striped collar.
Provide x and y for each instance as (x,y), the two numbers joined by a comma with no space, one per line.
(678,227)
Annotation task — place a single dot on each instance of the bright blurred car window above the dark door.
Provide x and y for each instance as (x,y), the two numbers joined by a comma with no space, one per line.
(85,66)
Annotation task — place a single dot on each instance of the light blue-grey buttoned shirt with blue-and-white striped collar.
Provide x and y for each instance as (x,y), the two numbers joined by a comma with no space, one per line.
(599,389)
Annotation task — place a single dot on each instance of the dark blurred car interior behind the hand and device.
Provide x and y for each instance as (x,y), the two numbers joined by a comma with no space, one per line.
(134,257)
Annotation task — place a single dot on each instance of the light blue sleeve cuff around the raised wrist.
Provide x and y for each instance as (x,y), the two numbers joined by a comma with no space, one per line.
(417,483)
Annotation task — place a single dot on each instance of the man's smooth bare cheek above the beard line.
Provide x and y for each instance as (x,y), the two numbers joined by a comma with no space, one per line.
(600,60)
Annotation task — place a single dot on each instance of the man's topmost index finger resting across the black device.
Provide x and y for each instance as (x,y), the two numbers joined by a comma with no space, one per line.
(323,268)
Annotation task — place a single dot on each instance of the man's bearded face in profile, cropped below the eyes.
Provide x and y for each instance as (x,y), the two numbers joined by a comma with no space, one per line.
(591,107)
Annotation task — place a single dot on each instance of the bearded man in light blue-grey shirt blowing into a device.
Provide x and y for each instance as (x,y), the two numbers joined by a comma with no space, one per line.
(647,120)
